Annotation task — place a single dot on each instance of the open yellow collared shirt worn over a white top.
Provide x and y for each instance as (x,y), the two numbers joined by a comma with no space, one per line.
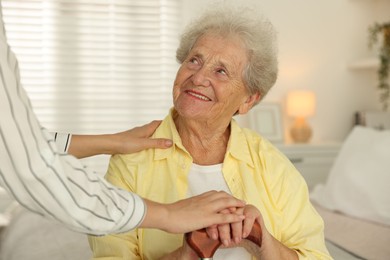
(254,170)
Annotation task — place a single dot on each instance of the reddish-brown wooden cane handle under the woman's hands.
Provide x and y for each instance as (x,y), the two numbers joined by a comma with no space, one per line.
(205,247)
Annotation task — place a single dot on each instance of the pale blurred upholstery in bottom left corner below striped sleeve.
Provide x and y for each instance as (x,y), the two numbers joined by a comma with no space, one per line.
(30,236)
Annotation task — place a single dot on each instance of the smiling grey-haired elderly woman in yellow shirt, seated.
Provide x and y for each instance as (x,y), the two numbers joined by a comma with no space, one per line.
(228,63)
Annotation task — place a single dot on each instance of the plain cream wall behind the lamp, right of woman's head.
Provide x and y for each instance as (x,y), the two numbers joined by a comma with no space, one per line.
(317,42)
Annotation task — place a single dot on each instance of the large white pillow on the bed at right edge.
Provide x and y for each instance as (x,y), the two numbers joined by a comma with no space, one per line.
(359,181)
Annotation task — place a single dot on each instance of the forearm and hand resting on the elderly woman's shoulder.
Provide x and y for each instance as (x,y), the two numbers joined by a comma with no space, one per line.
(130,141)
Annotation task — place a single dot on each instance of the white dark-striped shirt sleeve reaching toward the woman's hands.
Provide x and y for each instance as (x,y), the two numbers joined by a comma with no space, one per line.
(47,181)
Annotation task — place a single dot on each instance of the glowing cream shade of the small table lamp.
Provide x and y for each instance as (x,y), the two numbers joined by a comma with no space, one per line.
(301,103)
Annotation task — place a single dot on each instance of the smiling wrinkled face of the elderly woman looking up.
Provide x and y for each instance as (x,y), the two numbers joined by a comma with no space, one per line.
(209,84)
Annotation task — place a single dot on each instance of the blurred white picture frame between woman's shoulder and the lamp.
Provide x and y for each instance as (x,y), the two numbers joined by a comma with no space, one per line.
(266,118)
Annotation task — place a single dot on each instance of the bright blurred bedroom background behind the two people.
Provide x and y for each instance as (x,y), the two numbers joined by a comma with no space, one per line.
(94,67)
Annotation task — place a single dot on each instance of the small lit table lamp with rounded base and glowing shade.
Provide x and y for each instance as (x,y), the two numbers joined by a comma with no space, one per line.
(300,105)
